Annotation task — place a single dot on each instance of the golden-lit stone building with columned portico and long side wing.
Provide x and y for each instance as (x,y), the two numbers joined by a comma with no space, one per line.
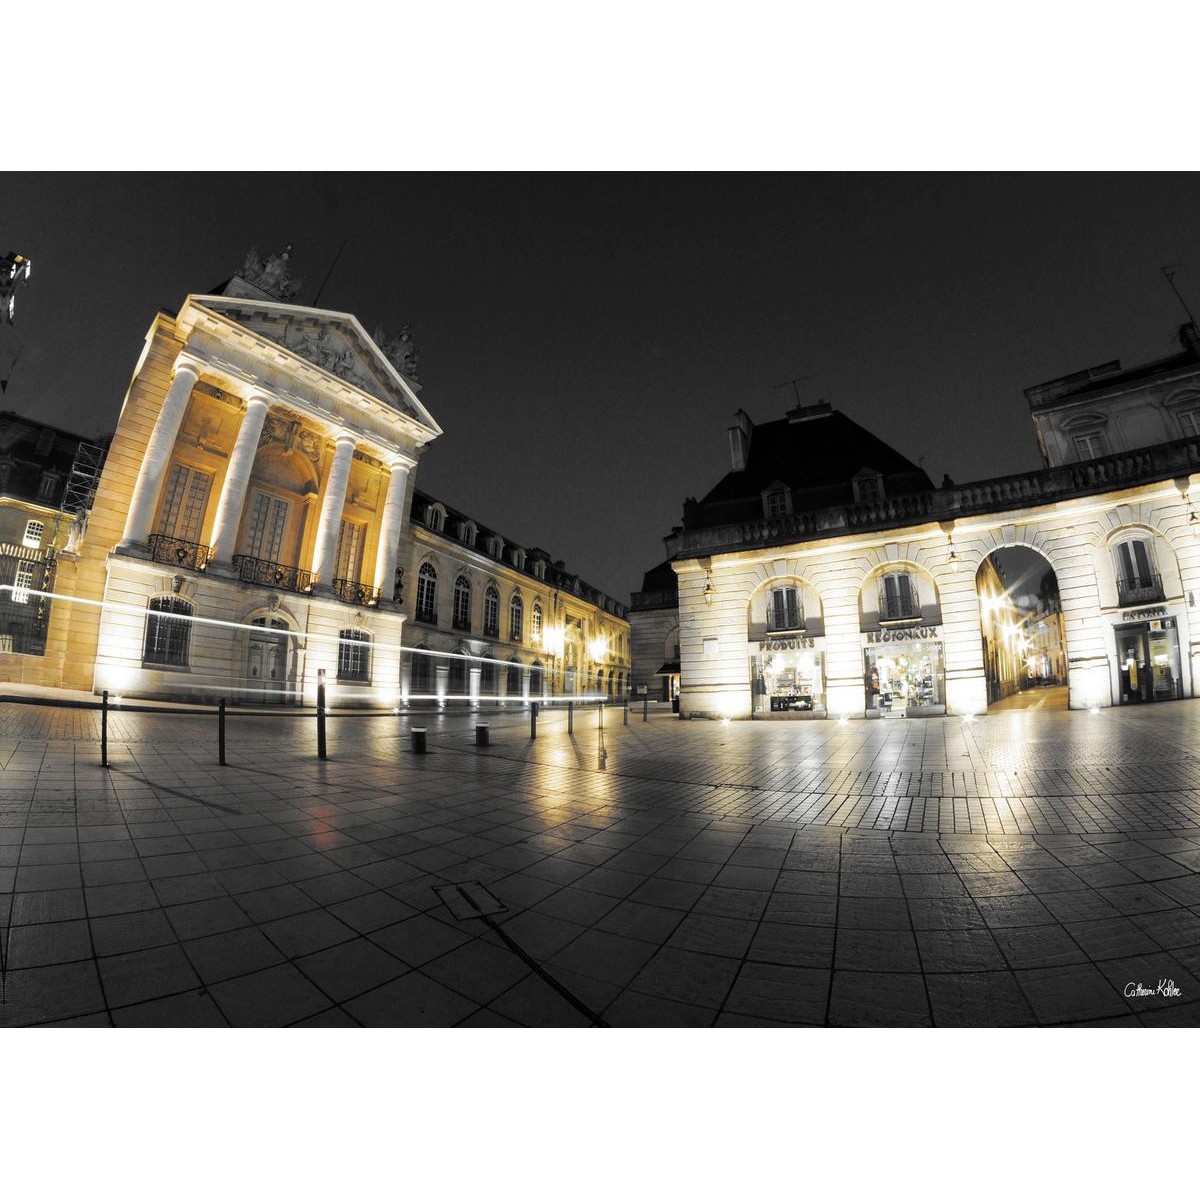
(250,532)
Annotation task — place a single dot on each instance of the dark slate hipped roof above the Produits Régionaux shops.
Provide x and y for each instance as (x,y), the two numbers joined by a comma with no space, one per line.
(817,459)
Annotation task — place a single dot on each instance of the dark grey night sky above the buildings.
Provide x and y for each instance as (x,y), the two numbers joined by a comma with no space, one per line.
(585,340)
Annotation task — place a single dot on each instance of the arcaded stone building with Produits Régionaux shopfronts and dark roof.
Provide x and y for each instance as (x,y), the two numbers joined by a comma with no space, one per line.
(883,604)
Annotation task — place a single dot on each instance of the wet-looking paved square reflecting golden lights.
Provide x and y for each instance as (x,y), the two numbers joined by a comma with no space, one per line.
(1030,868)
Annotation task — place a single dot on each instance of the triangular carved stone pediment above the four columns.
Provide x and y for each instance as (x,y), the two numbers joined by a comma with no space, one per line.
(333,341)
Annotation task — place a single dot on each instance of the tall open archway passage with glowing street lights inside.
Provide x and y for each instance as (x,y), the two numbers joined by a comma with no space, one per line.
(1021,620)
